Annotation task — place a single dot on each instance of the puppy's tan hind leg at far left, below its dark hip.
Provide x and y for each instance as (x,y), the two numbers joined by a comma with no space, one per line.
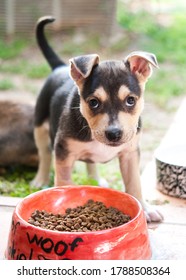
(43,145)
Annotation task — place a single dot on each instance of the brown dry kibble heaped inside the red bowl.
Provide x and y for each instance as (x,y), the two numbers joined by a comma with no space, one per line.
(92,216)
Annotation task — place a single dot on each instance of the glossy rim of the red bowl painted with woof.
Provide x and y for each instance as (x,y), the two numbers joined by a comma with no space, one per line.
(98,232)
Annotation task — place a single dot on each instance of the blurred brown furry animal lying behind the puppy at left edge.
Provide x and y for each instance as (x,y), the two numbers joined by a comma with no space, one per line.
(17,145)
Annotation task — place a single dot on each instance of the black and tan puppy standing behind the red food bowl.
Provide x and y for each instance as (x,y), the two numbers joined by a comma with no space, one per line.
(91,111)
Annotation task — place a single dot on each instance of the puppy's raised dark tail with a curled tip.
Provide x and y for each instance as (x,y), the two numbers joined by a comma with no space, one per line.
(52,58)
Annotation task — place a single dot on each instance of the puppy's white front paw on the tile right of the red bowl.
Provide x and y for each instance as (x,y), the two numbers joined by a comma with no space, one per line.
(152,214)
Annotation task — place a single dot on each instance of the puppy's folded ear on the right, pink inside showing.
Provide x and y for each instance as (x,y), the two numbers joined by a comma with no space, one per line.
(140,64)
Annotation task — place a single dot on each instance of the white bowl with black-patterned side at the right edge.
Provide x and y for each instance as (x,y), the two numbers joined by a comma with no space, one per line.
(171,170)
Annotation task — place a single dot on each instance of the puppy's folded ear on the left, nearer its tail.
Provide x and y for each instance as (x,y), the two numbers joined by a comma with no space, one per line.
(81,66)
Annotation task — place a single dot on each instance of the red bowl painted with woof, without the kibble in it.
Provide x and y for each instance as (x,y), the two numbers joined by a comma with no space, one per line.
(128,241)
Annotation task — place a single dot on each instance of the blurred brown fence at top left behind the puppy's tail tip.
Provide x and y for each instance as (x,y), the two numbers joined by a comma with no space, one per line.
(20,16)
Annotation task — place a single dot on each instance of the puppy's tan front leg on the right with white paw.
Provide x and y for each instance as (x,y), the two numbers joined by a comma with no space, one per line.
(129,165)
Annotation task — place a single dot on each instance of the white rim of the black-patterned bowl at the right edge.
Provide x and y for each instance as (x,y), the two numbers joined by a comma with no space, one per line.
(160,154)
